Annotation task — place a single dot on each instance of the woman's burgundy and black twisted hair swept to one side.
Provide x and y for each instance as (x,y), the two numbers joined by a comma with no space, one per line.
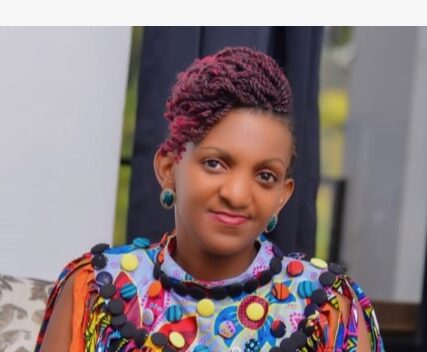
(234,77)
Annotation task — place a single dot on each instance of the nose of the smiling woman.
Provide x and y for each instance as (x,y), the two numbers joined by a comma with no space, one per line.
(236,190)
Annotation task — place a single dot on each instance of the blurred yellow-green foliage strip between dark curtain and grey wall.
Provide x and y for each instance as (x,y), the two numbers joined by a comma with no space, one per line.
(333,113)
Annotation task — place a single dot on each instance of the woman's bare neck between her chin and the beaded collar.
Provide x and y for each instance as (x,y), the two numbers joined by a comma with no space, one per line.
(205,266)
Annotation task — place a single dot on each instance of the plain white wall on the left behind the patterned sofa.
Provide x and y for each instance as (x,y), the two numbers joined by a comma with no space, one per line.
(62,95)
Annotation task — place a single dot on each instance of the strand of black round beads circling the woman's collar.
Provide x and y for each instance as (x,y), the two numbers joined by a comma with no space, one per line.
(199,292)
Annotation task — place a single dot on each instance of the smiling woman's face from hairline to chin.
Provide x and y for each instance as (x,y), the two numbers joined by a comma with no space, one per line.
(230,184)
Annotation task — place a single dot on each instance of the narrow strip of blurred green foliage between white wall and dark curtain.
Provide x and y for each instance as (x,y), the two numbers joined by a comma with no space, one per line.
(129,122)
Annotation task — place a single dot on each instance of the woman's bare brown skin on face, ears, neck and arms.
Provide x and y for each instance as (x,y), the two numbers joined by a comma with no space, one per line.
(239,167)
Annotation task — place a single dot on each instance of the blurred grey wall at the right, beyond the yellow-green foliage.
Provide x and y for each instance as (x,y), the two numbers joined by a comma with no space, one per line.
(386,168)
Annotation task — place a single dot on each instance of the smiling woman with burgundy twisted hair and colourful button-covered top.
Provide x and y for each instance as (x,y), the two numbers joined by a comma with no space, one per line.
(216,283)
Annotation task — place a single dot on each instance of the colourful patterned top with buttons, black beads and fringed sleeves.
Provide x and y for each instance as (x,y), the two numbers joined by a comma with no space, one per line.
(140,299)
